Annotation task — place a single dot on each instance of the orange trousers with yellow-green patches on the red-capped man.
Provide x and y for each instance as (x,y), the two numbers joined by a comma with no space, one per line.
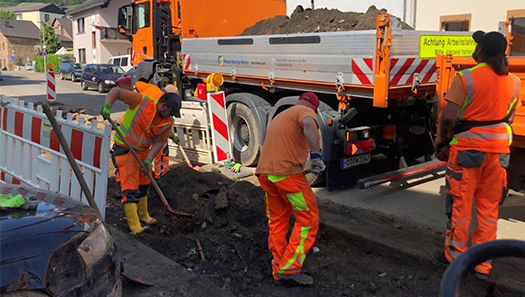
(284,195)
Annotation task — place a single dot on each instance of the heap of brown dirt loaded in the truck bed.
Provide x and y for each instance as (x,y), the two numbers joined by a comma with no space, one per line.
(318,20)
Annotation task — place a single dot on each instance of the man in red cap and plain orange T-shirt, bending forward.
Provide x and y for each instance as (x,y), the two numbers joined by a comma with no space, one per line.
(292,136)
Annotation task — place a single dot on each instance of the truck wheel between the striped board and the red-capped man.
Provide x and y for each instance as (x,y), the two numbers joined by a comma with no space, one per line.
(245,134)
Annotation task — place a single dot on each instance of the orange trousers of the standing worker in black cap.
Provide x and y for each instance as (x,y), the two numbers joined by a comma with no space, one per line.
(473,175)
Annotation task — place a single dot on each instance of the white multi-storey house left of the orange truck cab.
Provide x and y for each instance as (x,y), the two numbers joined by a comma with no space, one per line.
(95,35)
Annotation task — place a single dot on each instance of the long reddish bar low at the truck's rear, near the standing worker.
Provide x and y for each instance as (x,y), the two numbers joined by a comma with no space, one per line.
(432,167)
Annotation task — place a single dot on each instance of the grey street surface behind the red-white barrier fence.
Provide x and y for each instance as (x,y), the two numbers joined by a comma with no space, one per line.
(30,86)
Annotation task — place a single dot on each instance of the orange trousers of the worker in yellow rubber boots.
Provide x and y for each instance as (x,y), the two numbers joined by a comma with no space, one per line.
(133,182)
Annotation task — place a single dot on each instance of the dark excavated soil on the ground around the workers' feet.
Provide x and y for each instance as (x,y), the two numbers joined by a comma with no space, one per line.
(226,239)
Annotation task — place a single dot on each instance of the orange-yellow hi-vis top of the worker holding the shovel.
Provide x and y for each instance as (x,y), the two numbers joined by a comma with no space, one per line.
(136,125)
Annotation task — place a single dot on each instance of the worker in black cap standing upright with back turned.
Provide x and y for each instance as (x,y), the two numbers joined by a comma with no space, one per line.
(481,105)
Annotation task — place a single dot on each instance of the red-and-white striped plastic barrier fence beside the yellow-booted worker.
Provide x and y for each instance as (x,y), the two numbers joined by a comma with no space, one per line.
(30,153)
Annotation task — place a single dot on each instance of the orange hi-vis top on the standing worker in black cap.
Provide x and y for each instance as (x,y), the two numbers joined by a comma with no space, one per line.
(490,98)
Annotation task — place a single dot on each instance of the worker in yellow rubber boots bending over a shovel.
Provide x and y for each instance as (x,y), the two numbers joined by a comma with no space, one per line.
(146,126)
